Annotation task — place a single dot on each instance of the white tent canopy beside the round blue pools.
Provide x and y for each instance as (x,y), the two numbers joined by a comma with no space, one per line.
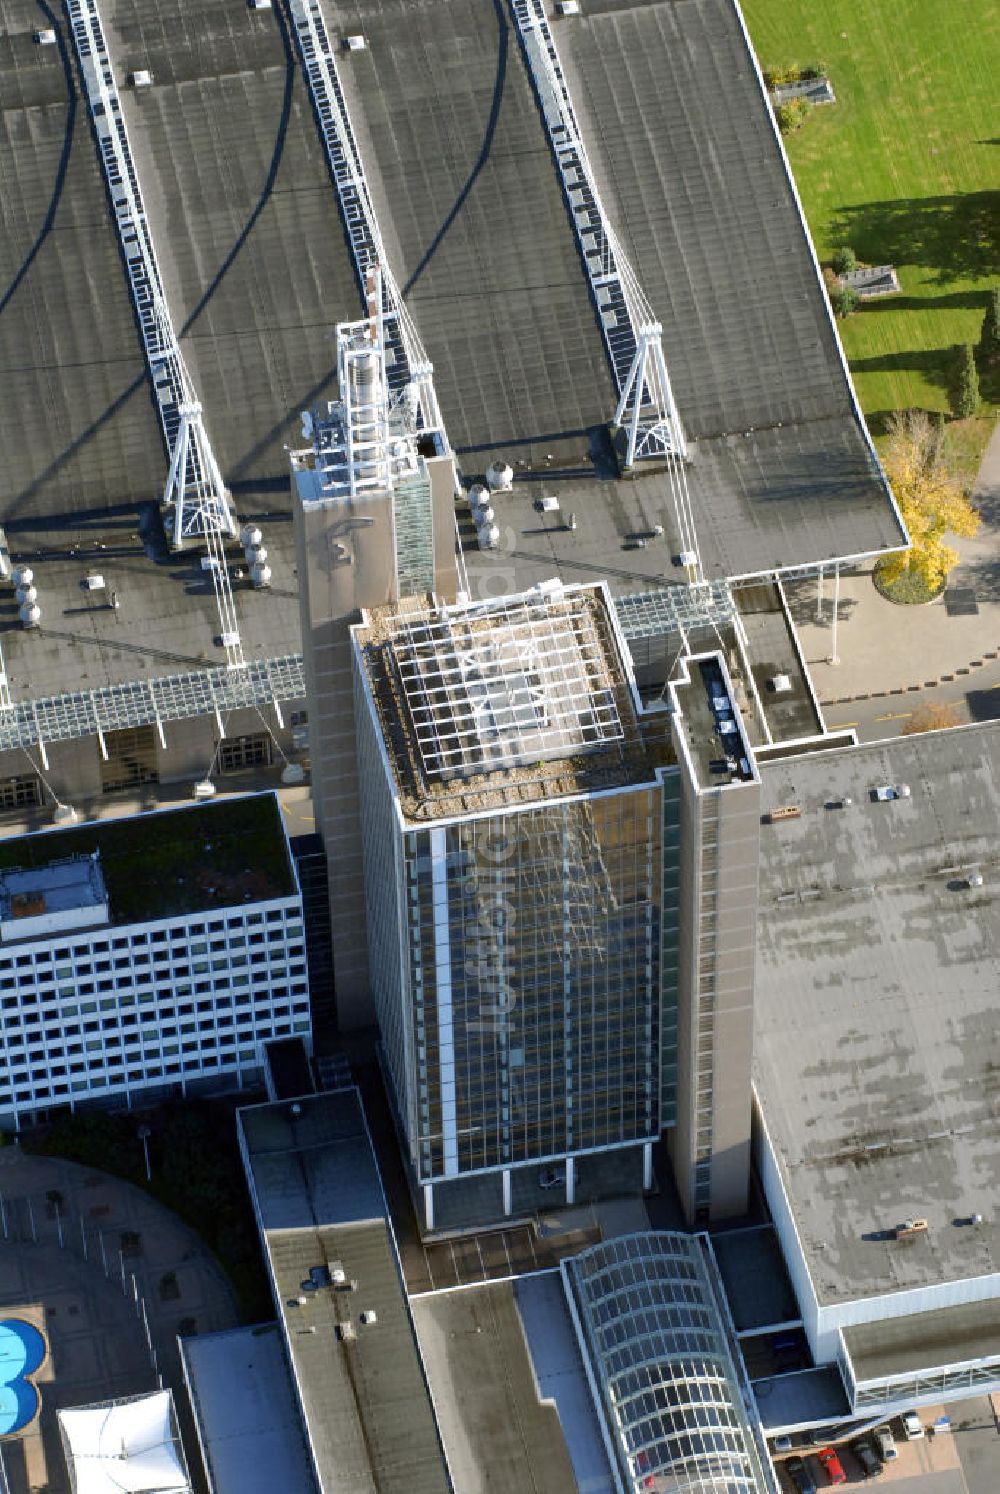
(131,1447)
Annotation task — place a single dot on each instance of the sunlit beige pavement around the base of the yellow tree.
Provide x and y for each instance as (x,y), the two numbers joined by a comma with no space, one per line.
(948,651)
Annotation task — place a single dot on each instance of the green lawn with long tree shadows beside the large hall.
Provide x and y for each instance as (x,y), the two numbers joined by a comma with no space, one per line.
(904,168)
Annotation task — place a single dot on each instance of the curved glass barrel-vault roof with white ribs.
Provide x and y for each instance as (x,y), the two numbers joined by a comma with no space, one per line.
(661,1369)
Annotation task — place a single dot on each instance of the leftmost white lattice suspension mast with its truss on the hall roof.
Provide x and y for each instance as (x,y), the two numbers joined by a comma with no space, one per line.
(195,498)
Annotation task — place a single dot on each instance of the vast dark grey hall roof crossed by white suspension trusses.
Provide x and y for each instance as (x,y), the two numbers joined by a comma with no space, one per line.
(258,274)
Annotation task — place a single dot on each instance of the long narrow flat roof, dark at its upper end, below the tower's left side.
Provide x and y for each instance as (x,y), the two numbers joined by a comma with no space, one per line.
(361,1386)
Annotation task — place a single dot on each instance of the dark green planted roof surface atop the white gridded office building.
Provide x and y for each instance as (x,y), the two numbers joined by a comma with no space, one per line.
(176,861)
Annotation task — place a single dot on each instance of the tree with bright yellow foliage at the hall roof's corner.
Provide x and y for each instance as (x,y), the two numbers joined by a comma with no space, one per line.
(932,501)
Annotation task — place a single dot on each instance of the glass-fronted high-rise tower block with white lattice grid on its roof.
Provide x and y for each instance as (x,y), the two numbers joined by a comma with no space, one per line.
(515,825)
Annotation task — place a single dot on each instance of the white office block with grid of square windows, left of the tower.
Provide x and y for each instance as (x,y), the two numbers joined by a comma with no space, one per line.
(149,955)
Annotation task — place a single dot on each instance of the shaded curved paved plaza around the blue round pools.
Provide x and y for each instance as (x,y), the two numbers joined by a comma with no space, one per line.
(71,1244)
